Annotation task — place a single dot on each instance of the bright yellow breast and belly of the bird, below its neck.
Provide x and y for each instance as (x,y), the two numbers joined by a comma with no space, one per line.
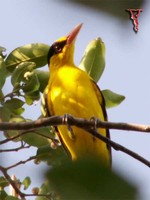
(71,92)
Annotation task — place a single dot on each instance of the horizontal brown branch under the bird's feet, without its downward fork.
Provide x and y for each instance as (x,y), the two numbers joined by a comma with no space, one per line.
(72,121)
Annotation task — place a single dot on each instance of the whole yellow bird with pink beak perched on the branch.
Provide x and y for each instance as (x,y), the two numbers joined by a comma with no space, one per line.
(72,91)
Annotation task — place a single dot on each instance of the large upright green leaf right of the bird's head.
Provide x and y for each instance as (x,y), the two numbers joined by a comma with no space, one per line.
(93,60)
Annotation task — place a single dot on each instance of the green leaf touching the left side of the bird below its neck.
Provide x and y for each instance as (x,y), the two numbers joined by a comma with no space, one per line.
(43,77)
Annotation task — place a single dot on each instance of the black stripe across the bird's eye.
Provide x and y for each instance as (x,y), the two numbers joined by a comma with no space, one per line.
(56,48)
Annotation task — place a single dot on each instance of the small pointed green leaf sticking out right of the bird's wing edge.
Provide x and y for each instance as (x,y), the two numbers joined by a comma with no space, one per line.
(112,99)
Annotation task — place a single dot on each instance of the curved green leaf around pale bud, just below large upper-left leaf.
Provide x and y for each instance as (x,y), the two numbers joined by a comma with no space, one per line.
(19,72)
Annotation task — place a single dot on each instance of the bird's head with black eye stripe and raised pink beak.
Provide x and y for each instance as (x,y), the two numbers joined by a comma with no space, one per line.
(62,50)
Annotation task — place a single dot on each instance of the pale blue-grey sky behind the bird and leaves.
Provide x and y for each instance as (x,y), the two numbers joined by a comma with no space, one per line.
(127,68)
